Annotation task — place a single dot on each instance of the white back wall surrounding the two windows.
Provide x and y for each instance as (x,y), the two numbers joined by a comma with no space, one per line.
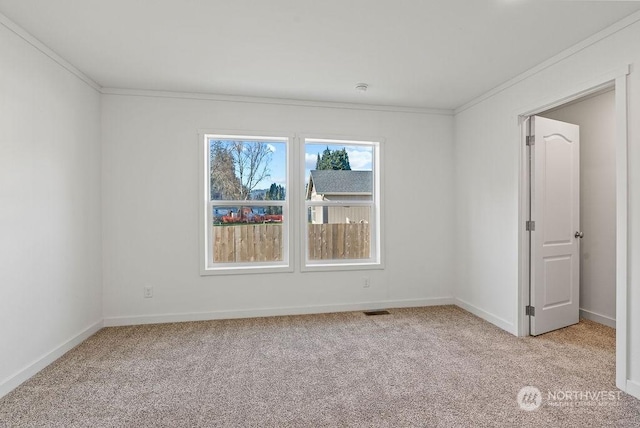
(150,208)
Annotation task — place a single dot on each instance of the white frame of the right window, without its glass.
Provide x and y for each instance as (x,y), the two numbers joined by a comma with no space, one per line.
(376,261)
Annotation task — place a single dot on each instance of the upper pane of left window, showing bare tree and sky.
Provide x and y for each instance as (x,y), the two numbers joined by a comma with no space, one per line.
(242,169)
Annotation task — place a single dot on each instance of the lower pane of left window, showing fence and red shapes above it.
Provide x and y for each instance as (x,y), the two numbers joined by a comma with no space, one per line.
(243,234)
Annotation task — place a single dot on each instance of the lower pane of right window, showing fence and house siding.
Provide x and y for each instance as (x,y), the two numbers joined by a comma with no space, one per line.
(339,232)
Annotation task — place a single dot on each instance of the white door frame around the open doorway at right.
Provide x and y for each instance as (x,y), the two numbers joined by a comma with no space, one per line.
(617,80)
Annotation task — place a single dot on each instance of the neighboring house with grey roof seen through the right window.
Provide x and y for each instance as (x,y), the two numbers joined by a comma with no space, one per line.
(339,185)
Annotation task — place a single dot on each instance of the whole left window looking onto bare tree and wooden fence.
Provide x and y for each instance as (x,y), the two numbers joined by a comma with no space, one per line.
(246,209)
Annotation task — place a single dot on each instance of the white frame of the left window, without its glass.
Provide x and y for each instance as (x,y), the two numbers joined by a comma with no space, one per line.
(207,266)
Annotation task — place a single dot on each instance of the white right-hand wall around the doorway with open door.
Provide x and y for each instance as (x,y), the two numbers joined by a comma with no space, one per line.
(487,157)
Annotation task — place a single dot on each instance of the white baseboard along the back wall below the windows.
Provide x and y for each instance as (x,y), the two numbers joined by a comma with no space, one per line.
(269,312)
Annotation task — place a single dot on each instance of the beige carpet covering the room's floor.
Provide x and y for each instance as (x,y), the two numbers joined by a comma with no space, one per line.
(429,367)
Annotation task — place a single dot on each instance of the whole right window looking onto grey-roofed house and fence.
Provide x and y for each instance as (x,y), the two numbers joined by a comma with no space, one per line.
(342,203)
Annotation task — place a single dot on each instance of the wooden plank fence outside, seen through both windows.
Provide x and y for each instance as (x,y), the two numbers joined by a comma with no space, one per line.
(263,242)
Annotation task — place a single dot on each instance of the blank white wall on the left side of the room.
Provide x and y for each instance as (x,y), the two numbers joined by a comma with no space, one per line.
(50,280)
